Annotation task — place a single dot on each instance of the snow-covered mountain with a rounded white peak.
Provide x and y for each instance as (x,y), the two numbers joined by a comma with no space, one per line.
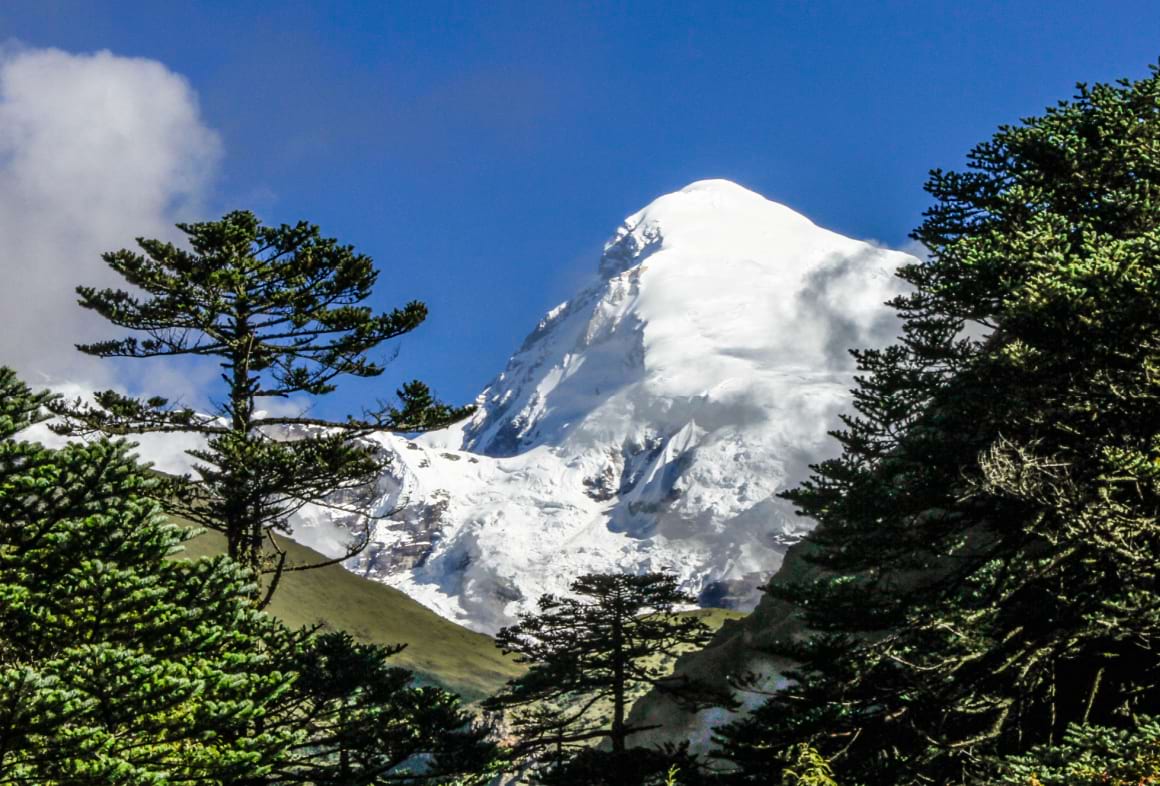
(646,425)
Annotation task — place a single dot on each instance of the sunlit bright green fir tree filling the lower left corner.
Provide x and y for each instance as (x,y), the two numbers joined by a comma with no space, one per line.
(117,665)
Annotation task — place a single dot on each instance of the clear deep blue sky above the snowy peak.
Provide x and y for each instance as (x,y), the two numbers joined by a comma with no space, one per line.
(483,152)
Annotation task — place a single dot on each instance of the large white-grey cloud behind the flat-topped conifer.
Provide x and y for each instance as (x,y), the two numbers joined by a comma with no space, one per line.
(96,150)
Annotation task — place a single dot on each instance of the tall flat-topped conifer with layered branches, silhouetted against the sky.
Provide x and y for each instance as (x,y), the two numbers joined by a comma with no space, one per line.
(281,310)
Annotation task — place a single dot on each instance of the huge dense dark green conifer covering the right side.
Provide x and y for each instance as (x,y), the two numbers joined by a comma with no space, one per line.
(990,534)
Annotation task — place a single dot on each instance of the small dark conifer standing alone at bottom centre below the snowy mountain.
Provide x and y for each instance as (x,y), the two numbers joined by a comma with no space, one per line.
(591,656)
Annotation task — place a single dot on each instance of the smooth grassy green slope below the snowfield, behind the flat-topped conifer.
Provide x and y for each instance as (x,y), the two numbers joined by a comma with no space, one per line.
(438,650)
